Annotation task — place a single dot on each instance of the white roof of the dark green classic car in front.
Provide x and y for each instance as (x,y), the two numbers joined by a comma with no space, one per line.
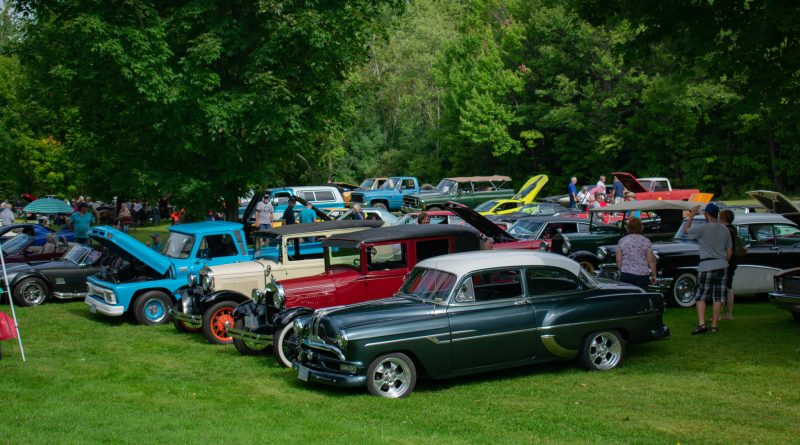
(464,263)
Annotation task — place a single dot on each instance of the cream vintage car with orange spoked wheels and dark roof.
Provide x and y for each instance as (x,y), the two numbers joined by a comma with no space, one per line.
(206,303)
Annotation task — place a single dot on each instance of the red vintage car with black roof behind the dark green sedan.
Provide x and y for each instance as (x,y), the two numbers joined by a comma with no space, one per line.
(359,266)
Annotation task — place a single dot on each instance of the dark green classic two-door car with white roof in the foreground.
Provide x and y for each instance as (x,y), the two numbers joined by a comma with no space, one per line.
(473,312)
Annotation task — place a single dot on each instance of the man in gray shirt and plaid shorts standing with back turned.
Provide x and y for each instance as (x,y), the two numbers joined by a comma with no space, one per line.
(716,249)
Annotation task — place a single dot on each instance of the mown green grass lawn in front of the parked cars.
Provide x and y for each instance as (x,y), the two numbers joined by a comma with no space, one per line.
(94,379)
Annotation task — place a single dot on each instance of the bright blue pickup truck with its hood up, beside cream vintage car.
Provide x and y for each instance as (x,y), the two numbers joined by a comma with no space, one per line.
(134,277)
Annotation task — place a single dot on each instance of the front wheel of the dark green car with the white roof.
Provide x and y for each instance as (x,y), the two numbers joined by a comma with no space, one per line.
(392,376)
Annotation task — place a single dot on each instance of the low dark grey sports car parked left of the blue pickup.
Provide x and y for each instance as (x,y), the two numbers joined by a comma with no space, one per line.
(33,283)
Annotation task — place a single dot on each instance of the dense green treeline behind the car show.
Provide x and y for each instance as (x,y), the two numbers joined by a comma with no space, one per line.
(208,99)
